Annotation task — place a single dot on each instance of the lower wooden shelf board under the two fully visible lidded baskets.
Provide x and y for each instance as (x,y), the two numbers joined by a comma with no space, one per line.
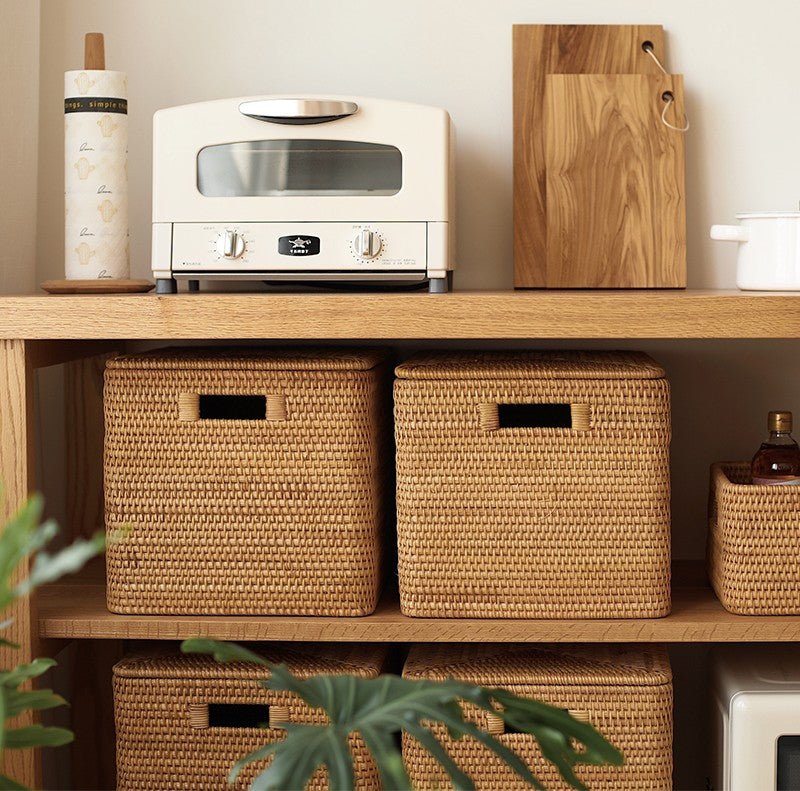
(78,610)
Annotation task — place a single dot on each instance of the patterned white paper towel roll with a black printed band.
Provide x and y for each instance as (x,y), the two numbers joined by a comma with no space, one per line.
(96,175)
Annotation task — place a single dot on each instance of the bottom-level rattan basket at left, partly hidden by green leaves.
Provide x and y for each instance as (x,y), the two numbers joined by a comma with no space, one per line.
(183,721)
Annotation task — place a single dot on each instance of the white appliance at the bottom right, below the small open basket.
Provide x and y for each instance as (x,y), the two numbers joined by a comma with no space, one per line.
(755,734)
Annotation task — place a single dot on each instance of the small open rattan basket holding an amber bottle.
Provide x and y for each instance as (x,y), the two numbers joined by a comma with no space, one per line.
(753,543)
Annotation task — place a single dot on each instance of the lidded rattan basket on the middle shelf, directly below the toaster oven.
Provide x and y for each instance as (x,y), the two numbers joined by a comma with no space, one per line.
(251,481)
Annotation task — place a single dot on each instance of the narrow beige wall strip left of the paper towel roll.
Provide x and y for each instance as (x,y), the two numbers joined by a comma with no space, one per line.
(19,136)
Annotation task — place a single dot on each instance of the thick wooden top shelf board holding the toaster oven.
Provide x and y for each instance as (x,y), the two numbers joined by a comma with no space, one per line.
(461,314)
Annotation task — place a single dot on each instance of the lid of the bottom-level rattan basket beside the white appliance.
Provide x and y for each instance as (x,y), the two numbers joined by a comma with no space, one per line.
(553,665)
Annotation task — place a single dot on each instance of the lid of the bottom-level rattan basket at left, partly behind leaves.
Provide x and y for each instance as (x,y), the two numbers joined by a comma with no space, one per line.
(308,659)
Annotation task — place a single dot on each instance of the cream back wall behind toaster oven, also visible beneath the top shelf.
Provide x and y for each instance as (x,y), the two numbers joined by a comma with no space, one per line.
(740,67)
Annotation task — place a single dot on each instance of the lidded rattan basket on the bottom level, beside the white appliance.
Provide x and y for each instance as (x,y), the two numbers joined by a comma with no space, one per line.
(625,691)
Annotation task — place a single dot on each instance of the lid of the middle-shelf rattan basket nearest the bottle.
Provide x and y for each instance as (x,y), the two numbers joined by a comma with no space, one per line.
(531,365)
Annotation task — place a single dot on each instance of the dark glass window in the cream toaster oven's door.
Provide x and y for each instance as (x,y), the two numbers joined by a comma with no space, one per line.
(283,168)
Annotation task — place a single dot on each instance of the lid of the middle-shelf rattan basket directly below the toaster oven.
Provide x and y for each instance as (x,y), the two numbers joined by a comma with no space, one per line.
(235,358)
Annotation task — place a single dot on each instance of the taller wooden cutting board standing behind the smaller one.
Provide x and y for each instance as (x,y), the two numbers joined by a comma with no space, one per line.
(539,50)
